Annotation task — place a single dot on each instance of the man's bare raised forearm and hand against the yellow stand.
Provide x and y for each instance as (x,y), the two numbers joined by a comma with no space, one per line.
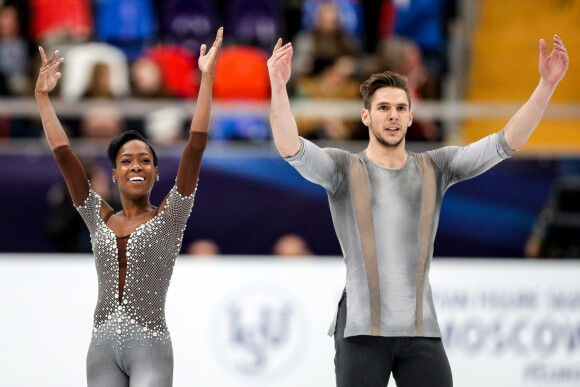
(552,69)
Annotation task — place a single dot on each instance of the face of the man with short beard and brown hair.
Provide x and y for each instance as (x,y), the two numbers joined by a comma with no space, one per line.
(389,117)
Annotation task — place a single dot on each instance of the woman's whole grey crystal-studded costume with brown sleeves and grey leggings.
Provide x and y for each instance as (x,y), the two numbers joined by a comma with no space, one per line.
(131,343)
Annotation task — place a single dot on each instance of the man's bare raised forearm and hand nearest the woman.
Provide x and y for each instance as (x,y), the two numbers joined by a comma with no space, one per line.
(284,129)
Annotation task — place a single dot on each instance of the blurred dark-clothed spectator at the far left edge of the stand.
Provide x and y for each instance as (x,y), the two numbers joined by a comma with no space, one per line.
(13,54)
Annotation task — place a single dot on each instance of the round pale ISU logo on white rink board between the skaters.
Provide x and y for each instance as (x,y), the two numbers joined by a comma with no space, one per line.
(260,332)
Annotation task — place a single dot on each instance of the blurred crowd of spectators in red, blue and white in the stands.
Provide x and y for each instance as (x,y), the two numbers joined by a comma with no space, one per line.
(147,49)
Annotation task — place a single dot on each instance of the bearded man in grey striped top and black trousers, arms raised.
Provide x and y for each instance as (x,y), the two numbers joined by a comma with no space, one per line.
(385,204)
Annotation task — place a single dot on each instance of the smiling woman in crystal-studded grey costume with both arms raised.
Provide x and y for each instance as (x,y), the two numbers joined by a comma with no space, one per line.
(135,249)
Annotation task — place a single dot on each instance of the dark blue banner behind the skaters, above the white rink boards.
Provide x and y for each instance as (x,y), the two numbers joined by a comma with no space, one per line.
(246,200)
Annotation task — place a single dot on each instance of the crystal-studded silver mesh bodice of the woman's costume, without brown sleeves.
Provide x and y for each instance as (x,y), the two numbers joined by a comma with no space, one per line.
(151,252)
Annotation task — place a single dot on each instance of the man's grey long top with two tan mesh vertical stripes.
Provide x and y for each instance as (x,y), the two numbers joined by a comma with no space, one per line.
(386,220)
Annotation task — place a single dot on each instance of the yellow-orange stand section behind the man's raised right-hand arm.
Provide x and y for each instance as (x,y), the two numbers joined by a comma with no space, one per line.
(504,65)
